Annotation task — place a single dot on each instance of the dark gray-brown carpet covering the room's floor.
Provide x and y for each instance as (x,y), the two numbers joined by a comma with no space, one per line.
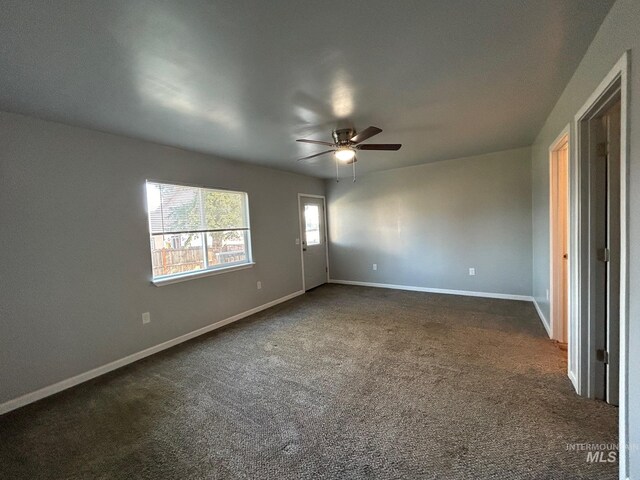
(344,382)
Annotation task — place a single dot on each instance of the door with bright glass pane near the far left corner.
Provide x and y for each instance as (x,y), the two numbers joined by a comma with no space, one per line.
(314,240)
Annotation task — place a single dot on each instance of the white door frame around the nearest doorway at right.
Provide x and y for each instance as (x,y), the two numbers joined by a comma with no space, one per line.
(579,314)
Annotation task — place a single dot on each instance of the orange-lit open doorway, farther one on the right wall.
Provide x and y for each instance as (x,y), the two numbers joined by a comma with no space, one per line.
(559,236)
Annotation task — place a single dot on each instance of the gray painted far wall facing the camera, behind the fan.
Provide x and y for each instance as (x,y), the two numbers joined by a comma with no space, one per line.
(425,226)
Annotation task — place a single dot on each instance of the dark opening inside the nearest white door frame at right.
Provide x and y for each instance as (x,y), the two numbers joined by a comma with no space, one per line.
(600,243)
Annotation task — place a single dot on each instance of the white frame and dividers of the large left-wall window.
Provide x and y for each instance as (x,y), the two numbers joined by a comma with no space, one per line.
(209,270)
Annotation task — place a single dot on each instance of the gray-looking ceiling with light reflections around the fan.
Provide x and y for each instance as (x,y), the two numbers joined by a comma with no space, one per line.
(243,79)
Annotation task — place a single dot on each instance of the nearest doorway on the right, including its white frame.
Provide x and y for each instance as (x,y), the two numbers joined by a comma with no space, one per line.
(598,245)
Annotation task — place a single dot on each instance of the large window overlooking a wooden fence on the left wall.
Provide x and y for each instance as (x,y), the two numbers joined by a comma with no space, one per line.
(196,230)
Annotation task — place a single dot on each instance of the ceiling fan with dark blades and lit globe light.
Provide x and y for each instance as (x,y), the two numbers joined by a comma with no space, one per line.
(345,144)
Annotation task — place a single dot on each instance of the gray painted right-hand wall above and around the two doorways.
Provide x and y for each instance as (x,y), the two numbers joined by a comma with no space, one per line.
(619,32)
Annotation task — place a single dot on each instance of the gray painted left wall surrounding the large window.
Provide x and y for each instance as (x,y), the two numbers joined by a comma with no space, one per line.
(74,256)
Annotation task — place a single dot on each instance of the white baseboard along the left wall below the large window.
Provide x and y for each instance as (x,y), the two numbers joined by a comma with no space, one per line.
(96,372)
